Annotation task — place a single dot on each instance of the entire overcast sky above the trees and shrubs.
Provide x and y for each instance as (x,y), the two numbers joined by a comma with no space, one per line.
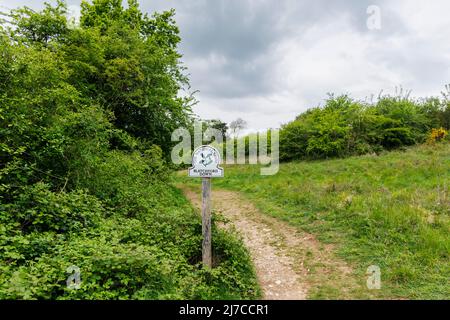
(267,61)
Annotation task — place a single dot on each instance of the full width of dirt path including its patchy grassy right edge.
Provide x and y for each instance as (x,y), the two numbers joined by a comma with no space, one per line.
(290,264)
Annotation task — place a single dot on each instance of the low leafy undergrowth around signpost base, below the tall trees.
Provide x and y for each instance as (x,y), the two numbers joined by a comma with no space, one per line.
(154,256)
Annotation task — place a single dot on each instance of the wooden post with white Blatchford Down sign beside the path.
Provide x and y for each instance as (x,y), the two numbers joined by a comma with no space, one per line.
(205,165)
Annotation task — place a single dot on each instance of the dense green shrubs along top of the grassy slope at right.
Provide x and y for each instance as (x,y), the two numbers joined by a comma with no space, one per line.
(344,127)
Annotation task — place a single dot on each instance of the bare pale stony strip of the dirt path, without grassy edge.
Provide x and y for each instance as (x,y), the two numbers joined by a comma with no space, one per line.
(268,241)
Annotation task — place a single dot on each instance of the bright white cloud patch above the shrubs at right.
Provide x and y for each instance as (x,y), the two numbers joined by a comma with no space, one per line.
(333,58)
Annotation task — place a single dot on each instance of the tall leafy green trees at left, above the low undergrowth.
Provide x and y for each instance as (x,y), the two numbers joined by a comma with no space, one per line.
(110,83)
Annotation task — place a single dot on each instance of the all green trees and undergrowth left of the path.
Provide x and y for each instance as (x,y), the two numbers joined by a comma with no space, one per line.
(86,114)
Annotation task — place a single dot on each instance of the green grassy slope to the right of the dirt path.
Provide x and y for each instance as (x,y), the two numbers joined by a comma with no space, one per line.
(390,210)
